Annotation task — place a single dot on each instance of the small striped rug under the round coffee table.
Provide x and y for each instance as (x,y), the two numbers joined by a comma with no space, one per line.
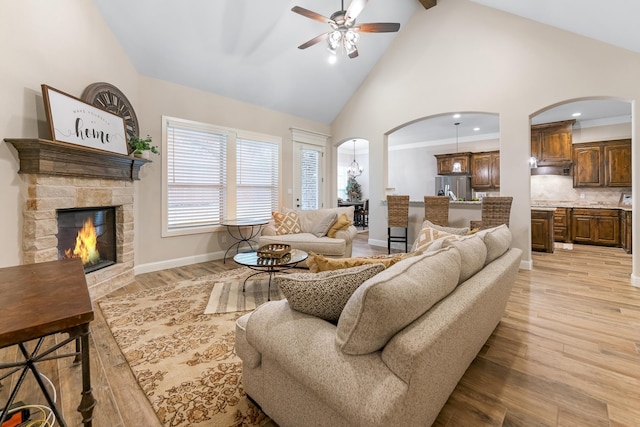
(227,295)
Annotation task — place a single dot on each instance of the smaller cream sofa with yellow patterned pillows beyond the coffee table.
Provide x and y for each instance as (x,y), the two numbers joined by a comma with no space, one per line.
(334,247)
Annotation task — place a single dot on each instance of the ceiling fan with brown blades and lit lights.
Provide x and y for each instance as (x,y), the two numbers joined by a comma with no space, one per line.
(344,31)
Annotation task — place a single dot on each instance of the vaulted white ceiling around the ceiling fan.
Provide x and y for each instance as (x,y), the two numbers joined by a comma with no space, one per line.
(247,50)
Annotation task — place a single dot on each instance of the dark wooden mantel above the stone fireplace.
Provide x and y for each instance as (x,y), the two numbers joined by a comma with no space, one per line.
(41,156)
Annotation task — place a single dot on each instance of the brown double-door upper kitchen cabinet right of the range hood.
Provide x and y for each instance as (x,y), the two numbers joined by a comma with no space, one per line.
(602,164)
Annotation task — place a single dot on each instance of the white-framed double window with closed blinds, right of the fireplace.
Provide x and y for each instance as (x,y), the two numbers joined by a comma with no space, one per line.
(212,173)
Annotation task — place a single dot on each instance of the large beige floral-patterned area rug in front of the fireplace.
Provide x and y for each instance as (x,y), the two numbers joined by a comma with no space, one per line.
(183,359)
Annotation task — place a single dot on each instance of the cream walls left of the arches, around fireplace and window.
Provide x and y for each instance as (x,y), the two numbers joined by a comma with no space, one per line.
(67,45)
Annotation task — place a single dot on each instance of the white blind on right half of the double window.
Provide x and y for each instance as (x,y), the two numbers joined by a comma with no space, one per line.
(257,178)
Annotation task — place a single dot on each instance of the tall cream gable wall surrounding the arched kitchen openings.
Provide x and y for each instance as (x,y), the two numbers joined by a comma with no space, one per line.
(461,56)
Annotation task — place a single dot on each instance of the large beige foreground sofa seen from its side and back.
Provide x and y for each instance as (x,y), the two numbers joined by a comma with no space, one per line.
(402,342)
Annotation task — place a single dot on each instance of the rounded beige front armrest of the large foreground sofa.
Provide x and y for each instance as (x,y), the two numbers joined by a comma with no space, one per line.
(304,346)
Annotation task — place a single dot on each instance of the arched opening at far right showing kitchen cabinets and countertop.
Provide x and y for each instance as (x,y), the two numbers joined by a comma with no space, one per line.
(597,175)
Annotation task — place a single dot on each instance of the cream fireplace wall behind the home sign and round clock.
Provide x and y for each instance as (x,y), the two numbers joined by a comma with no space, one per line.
(66,45)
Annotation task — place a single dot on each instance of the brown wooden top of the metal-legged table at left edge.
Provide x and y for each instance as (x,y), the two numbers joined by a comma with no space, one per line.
(42,299)
